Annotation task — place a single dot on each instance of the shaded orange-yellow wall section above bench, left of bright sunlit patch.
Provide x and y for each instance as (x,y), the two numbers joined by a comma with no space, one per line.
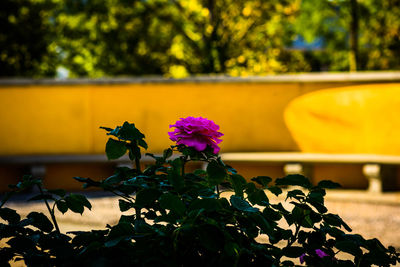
(65,119)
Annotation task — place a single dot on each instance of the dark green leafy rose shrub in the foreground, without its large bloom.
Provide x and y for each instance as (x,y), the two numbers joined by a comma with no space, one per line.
(184,219)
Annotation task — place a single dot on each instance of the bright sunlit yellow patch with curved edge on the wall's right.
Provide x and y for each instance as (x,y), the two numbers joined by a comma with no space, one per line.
(356,119)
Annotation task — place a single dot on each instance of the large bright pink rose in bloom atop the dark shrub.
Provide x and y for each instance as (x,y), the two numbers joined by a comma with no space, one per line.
(197,133)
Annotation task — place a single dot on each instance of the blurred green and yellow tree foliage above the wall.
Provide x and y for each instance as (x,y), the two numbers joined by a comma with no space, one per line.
(177,38)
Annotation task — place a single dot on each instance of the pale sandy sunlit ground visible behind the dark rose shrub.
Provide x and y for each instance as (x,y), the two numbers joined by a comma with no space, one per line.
(369,215)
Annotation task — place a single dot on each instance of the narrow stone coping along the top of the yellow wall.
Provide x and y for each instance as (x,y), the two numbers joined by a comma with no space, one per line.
(370,77)
